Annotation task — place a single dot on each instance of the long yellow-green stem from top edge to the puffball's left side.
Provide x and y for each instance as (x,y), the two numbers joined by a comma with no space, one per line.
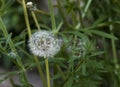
(26,17)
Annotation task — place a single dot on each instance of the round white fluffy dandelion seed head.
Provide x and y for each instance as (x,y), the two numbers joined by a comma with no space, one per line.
(44,44)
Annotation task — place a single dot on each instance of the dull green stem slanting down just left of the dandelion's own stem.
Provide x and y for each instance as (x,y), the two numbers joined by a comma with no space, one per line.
(40,71)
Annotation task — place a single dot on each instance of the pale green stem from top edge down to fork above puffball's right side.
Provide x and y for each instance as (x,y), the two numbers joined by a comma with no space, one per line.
(52,15)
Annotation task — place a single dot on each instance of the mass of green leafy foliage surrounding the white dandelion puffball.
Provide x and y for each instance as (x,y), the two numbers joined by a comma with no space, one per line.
(89,30)
